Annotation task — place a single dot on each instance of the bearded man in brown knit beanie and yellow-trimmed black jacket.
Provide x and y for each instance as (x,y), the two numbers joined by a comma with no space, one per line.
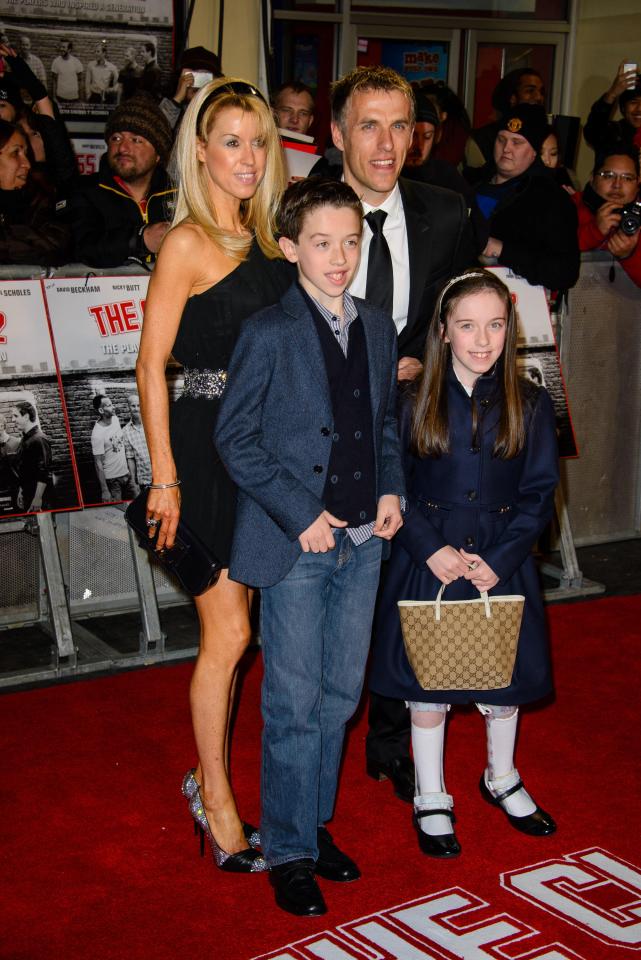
(123,212)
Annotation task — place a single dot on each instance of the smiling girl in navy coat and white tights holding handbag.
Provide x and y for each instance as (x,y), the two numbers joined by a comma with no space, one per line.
(481,466)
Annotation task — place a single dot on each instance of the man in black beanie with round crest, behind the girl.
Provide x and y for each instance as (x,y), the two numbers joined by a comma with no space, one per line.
(531,221)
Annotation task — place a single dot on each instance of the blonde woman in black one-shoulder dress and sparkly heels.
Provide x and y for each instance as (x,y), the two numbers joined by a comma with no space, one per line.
(218,264)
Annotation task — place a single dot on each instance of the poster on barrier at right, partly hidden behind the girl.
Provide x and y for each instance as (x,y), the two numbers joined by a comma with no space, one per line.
(537,354)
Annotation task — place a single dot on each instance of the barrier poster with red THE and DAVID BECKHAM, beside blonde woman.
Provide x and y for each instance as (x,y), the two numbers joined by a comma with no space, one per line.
(96,325)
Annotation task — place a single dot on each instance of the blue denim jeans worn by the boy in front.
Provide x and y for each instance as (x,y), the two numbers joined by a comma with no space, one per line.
(316,628)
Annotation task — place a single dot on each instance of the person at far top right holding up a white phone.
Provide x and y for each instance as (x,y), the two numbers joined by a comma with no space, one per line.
(600,130)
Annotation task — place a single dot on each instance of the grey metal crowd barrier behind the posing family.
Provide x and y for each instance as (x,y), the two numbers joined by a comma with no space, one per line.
(58,570)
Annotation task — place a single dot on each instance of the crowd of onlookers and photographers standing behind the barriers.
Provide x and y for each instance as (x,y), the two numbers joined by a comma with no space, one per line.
(506,171)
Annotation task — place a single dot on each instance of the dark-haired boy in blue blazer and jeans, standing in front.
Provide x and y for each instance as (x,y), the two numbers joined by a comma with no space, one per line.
(307,430)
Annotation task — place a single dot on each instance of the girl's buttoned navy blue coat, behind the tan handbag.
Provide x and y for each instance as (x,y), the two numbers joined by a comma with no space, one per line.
(496,508)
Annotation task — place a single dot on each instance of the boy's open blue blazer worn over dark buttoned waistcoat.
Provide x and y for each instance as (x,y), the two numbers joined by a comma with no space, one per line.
(275,425)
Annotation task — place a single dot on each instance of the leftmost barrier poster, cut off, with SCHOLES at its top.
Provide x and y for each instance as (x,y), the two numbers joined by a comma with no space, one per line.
(36,463)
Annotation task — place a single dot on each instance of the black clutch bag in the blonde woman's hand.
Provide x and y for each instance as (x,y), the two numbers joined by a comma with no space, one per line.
(189,560)
